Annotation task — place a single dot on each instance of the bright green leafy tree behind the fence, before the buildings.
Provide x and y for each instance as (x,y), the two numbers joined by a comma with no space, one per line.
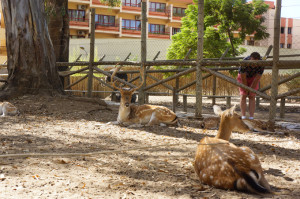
(221,19)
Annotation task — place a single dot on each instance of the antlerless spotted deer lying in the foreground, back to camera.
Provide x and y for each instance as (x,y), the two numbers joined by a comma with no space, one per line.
(221,164)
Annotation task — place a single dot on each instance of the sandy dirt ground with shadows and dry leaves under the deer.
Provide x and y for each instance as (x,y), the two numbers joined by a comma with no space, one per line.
(120,162)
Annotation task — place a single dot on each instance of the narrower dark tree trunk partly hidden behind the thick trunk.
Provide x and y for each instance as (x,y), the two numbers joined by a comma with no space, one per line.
(58,24)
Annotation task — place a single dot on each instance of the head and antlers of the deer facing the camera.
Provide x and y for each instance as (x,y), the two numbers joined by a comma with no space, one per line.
(126,93)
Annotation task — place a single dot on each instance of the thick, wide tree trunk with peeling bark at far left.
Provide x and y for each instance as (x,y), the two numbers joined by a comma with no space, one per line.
(30,53)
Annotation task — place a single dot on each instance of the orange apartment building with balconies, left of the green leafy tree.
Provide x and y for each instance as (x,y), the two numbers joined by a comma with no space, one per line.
(124,21)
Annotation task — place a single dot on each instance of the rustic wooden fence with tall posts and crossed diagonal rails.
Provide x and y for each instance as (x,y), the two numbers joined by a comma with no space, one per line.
(211,67)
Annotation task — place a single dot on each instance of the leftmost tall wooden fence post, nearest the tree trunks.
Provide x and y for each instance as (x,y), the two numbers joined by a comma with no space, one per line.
(92,47)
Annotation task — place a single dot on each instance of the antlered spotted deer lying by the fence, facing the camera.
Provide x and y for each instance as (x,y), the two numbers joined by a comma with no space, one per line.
(130,114)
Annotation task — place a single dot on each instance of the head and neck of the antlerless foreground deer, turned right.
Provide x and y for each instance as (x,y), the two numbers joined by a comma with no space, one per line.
(230,120)
